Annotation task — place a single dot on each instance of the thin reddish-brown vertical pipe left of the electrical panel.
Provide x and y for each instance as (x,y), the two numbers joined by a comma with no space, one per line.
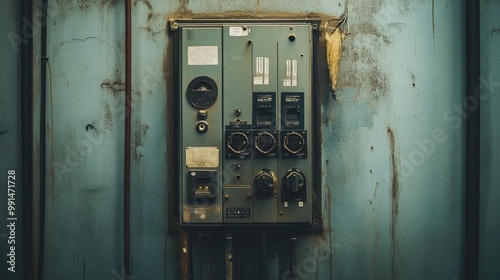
(128,128)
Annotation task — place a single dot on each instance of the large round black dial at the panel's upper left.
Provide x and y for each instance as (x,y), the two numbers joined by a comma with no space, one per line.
(202,92)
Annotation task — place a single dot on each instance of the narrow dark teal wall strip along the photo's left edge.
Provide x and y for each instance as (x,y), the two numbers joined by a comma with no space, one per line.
(10,135)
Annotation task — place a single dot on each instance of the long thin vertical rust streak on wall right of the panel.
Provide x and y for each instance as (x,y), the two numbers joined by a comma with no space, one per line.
(394,204)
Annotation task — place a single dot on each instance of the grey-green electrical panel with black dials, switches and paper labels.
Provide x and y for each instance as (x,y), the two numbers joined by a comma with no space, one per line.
(245,123)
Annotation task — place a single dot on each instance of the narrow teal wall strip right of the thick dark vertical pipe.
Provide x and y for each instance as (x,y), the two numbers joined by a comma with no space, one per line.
(490,137)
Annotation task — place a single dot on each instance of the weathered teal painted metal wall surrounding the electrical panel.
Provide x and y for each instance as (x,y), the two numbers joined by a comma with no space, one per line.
(393,144)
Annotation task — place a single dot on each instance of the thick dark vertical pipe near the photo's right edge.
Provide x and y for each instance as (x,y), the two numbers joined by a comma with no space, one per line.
(472,141)
